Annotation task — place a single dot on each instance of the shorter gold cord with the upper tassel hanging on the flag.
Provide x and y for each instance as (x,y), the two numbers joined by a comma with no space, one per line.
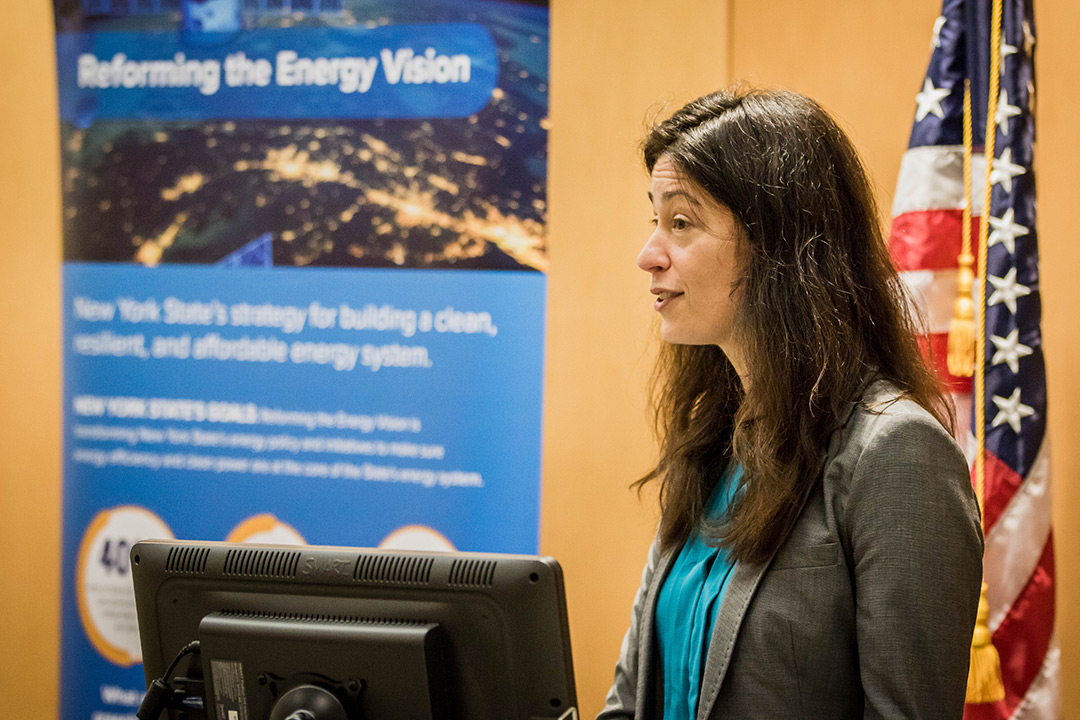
(962,332)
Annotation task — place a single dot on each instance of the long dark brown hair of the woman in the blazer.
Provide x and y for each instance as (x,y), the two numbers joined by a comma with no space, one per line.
(821,314)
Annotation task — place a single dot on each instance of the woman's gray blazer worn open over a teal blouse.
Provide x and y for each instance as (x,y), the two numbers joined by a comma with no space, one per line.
(868,609)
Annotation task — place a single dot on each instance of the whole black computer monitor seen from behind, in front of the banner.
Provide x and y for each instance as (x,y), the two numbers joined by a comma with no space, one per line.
(304,633)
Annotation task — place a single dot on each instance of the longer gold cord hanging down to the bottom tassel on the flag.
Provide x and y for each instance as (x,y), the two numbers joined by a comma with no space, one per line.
(984,674)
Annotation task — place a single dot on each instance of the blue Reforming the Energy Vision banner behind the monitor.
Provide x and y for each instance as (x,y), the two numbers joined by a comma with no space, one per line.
(304,289)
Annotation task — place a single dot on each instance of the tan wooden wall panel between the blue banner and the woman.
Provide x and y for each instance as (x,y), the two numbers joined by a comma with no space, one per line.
(614,66)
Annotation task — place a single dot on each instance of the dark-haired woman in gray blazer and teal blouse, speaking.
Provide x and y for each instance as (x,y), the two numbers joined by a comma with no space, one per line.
(820,551)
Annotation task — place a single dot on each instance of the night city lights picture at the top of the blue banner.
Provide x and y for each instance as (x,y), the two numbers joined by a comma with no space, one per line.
(464,193)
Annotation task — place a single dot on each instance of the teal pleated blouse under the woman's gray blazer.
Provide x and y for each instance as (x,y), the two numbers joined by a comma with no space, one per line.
(687,606)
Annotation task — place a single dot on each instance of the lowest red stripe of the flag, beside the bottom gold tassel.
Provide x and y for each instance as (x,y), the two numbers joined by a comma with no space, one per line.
(1023,640)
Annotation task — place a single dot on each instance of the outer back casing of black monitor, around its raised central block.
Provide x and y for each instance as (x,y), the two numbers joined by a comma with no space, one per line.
(518,602)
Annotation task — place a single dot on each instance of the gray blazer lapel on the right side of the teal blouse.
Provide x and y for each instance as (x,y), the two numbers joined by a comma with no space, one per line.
(745,581)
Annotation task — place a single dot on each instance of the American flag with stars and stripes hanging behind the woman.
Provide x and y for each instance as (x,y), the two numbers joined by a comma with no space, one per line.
(925,241)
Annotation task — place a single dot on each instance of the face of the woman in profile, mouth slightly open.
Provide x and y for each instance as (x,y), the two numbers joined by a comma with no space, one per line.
(694,259)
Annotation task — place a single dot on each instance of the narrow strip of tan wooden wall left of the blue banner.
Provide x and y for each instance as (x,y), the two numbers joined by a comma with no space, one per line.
(30,364)
